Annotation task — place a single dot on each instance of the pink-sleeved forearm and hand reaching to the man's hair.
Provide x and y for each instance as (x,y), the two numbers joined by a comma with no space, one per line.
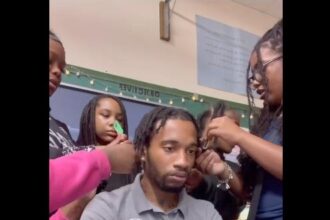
(74,175)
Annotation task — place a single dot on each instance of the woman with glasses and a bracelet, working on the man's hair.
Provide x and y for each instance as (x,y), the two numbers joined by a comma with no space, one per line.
(260,178)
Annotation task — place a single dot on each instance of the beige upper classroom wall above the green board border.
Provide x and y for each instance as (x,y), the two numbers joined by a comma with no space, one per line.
(121,37)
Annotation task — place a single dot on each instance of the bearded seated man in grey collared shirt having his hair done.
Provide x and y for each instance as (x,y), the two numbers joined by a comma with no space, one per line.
(166,141)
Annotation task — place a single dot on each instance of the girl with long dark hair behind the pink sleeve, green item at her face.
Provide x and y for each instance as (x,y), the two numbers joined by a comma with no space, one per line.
(97,128)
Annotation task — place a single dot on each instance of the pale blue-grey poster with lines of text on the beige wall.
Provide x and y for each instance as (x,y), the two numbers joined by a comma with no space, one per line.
(222,55)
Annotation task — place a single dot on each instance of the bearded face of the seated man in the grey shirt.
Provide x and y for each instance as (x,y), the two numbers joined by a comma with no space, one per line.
(171,155)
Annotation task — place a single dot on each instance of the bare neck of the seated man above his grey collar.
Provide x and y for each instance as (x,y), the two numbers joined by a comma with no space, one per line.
(164,200)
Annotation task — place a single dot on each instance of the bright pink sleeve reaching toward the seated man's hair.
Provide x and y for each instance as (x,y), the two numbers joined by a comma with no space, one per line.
(74,175)
